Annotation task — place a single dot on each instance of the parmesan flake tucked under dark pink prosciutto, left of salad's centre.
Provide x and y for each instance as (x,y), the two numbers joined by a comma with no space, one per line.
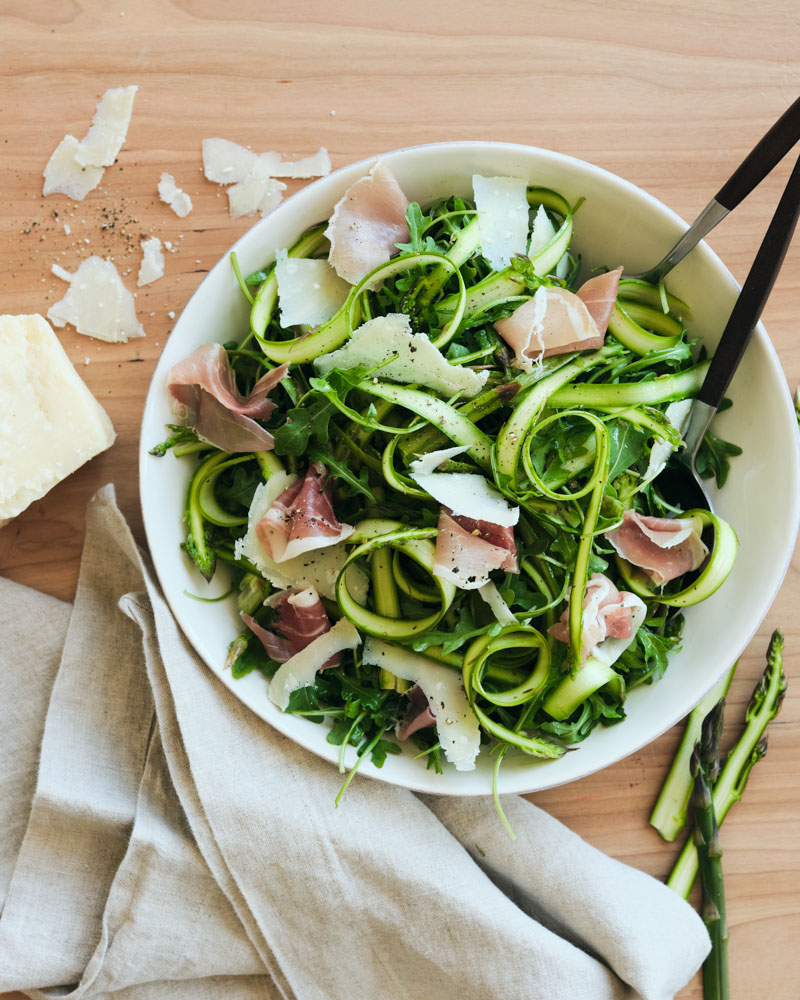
(318,569)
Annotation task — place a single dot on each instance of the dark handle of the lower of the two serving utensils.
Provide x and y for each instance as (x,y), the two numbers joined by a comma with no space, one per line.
(755,292)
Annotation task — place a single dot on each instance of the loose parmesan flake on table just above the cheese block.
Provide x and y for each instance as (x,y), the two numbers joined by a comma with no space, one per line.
(98,304)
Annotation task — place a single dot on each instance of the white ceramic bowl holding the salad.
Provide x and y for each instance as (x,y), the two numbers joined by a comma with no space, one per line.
(617,224)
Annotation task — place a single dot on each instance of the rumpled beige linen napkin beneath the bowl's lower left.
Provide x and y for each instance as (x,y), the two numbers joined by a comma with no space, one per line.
(158,840)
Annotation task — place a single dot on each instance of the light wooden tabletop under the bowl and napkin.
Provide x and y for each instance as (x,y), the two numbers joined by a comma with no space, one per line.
(670,98)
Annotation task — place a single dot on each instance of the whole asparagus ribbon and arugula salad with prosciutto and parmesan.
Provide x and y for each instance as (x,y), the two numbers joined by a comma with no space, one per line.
(432,463)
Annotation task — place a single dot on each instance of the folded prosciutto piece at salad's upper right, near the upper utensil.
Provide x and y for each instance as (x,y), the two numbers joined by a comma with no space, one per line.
(557,321)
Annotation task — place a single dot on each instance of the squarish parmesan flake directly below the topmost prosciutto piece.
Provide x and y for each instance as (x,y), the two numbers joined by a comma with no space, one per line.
(309,291)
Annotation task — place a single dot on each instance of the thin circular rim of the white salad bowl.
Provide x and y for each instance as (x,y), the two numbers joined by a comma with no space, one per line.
(306,194)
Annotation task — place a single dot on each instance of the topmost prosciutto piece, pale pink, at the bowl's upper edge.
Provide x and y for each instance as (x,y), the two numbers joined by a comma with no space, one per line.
(366,223)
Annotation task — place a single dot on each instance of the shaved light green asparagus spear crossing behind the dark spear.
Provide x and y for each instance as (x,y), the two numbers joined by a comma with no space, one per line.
(764,706)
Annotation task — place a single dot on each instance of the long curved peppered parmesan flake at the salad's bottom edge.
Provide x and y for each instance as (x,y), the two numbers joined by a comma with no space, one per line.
(456,723)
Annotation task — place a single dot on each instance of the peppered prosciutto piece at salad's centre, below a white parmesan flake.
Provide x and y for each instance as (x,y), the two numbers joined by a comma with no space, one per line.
(468,550)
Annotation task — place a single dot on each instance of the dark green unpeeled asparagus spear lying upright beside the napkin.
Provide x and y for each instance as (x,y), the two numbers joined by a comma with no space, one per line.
(705,769)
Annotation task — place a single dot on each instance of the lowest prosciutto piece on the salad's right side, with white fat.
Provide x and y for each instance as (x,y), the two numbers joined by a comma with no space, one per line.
(608,614)
